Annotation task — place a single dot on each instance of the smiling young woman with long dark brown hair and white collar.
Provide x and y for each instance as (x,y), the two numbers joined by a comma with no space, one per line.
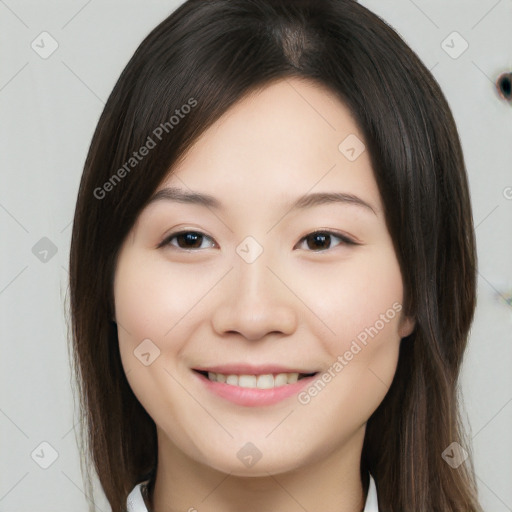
(272,269)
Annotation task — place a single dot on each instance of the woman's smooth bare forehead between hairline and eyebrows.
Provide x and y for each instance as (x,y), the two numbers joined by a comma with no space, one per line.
(279,142)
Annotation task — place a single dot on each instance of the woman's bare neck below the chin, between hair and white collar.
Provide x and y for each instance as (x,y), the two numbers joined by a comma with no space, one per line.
(331,484)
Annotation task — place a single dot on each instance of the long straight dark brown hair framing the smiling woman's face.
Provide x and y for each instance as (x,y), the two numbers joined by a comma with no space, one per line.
(210,54)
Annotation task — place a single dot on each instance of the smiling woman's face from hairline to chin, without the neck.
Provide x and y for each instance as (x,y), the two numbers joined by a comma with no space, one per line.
(221,304)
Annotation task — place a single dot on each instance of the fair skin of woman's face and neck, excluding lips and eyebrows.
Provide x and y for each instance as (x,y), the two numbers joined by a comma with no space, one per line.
(298,304)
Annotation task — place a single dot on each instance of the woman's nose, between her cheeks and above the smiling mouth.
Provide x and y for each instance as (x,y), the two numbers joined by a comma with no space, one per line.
(255,301)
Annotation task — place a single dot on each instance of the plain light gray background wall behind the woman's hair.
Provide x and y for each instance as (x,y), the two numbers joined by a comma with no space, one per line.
(48,111)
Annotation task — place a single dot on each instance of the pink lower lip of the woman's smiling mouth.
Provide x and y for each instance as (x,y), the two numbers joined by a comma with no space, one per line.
(254,397)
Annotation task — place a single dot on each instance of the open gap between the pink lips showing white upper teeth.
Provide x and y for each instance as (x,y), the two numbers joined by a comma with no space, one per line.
(253,381)
